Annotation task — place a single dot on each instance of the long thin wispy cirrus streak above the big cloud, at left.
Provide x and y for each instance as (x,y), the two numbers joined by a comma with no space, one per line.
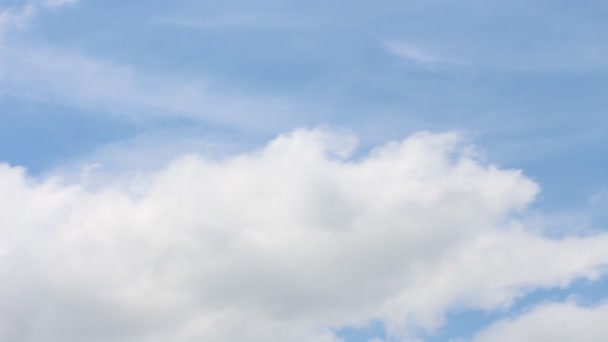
(122,90)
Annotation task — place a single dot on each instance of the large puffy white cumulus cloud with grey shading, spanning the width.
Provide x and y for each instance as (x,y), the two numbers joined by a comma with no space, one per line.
(286,243)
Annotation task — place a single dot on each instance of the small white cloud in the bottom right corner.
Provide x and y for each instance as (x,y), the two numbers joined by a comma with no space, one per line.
(556,322)
